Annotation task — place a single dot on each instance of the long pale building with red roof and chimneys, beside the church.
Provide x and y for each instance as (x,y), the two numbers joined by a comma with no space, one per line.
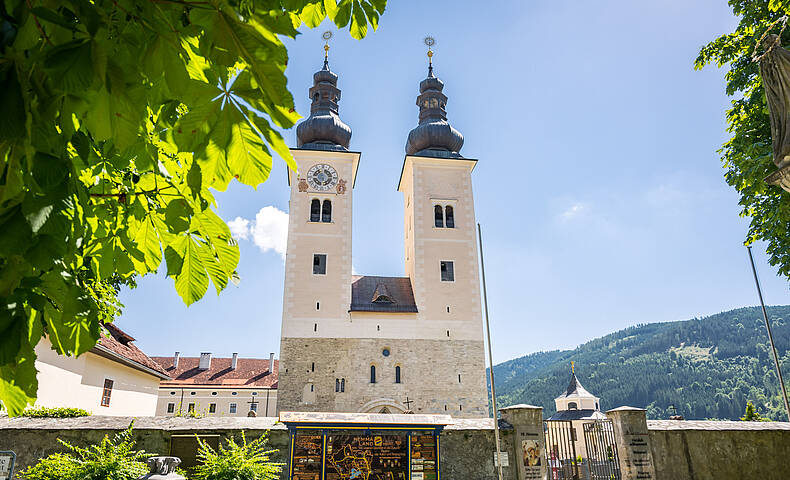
(221,387)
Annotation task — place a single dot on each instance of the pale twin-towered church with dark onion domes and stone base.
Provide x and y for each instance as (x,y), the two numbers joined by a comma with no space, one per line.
(382,344)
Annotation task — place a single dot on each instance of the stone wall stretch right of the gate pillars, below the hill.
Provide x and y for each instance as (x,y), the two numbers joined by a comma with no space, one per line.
(702,450)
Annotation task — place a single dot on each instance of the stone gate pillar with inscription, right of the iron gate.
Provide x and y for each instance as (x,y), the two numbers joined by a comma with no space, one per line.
(633,443)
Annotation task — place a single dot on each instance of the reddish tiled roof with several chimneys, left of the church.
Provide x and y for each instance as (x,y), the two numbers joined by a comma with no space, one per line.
(249,372)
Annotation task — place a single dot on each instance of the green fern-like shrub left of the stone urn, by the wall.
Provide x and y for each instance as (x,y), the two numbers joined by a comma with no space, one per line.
(114,459)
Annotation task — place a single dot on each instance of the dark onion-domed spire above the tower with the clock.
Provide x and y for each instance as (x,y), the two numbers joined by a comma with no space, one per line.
(323,129)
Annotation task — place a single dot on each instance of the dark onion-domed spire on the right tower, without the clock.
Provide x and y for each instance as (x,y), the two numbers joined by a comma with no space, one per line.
(434,136)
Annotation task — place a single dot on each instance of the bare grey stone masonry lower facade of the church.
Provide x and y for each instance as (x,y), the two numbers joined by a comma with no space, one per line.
(430,372)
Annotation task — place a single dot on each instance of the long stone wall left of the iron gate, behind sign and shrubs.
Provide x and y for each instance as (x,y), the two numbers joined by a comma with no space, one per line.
(467,447)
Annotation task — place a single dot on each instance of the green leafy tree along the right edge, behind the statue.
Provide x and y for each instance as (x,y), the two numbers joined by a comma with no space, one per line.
(747,156)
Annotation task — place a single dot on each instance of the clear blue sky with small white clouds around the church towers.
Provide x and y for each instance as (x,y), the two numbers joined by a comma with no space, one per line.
(598,186)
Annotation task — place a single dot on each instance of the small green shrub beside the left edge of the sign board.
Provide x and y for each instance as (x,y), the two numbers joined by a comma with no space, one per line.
(237,461)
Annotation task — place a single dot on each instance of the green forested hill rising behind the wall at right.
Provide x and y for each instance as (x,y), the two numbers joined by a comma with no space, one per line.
(707,367)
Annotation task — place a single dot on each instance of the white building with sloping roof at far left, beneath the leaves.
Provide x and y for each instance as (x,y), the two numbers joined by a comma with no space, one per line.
(114,378)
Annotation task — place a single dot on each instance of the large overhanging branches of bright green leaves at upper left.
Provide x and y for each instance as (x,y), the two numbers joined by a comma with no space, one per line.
(120,119)
